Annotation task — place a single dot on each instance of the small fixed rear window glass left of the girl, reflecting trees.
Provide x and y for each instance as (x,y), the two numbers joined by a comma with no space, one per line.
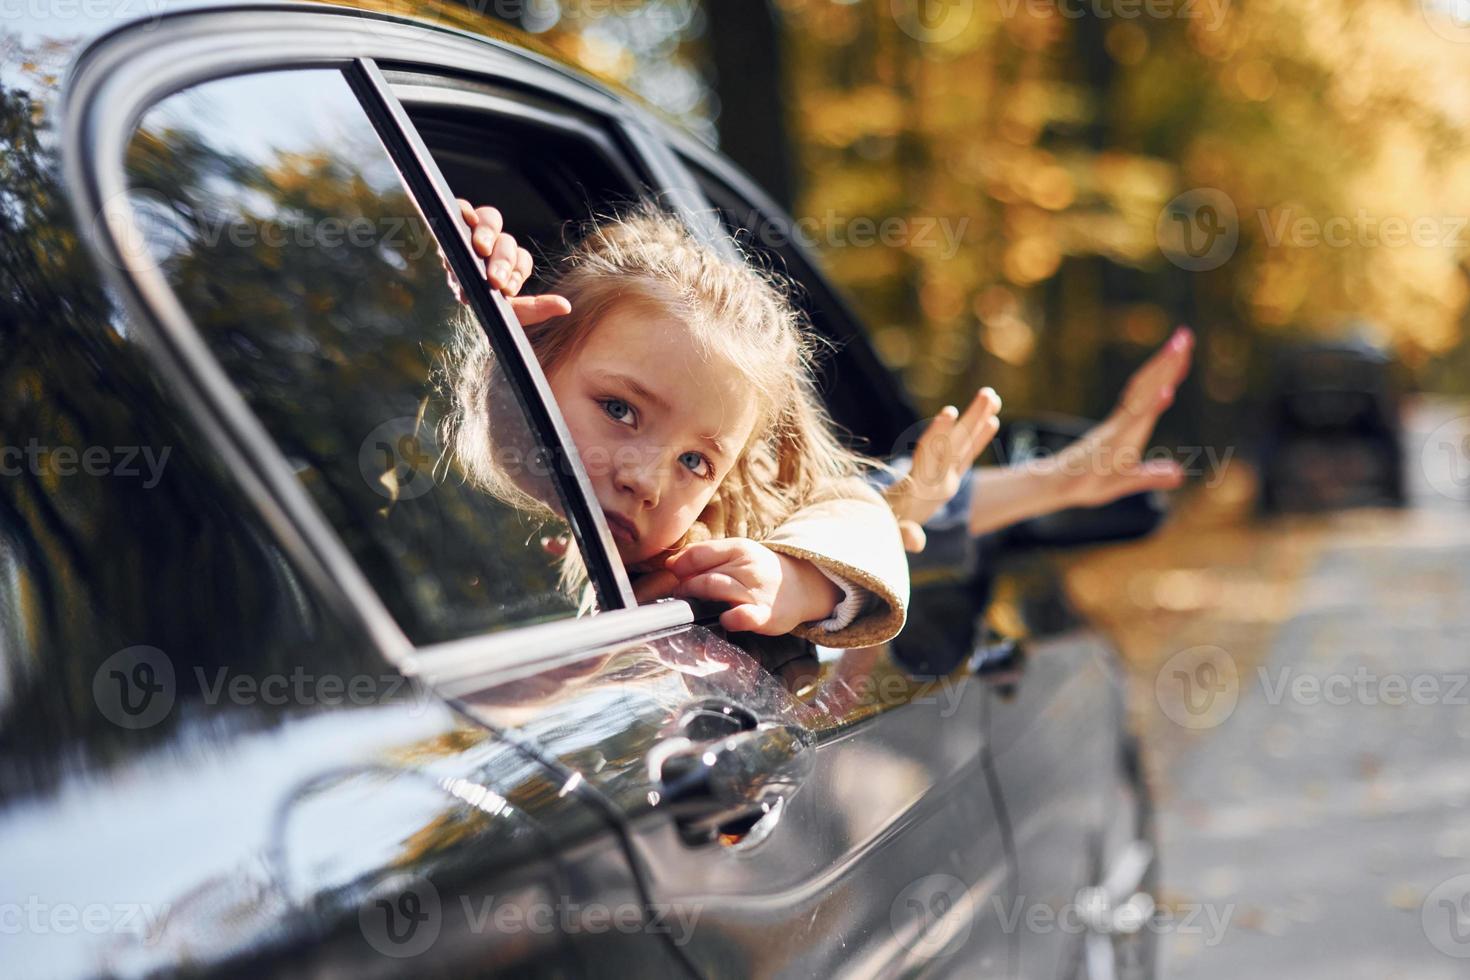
(290,239)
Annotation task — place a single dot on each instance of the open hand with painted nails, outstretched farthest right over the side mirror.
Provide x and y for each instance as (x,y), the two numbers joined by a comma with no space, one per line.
(1108,464)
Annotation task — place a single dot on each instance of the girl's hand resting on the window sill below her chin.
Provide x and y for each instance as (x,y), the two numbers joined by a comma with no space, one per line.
(770,593)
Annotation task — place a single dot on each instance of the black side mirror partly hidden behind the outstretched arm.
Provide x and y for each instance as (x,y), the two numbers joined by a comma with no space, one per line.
(1121,521)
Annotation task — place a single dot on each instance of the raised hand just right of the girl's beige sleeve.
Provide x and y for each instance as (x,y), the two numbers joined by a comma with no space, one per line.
(944,453)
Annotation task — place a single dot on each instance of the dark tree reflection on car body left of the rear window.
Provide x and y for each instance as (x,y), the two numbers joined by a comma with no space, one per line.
(92,563)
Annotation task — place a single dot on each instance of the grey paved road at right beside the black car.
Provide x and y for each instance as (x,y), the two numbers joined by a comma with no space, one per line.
(1322,824)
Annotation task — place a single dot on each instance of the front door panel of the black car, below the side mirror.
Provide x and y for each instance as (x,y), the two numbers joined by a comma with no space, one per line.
(1056,729)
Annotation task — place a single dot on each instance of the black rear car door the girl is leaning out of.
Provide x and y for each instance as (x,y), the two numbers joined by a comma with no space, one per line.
(831,821)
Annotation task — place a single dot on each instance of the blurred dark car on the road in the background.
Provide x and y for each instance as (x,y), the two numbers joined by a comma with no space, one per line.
(1334,431)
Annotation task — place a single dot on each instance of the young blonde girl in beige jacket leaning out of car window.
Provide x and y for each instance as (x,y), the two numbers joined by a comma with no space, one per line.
(686,383)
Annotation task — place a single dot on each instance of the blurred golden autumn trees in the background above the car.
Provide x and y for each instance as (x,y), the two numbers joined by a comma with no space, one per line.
(1064,130)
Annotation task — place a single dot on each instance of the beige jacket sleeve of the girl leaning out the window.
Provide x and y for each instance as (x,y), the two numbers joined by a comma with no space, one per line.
(855,537)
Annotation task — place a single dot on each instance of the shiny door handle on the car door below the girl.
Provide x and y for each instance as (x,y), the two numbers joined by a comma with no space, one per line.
(723,788)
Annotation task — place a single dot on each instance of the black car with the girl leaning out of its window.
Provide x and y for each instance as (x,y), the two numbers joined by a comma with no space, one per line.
(284,696)
